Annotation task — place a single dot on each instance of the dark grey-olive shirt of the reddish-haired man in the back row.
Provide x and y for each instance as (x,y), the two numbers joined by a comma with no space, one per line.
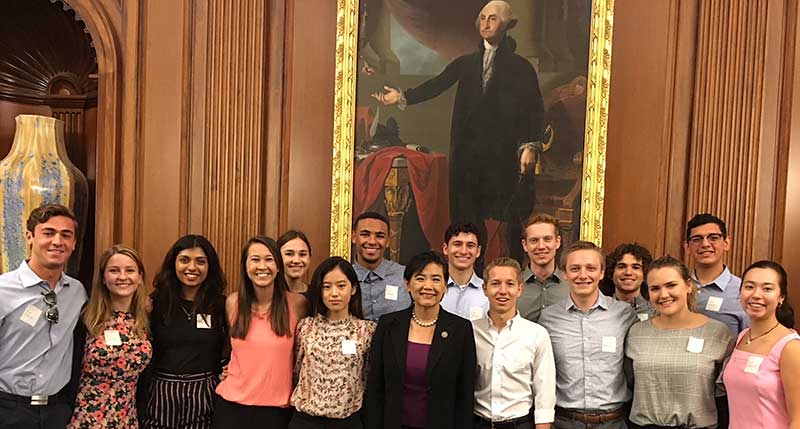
(540,293)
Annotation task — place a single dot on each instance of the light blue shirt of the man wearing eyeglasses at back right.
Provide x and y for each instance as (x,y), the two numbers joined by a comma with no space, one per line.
(726,287)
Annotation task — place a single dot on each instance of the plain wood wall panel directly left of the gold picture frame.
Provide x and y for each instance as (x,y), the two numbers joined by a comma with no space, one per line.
(311,43)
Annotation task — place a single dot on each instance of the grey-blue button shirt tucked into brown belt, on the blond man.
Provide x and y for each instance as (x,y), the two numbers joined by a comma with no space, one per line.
(589,353)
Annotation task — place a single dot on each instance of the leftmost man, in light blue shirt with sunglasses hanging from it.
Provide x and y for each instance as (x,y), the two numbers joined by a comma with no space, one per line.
(39,308)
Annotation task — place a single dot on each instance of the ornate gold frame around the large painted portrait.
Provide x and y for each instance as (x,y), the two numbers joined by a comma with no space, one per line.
(594,155)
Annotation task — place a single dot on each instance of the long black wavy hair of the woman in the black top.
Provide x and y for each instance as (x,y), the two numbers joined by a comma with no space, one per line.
(210,294)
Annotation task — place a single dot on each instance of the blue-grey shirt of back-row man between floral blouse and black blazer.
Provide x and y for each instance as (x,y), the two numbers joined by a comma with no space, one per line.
(382,290)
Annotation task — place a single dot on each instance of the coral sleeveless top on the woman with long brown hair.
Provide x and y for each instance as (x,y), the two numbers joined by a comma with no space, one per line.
(260,370)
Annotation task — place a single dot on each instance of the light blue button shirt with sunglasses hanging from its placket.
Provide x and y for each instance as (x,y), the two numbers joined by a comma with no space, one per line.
(36,355)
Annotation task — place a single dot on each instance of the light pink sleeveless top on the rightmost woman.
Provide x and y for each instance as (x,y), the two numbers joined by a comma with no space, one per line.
(755,390)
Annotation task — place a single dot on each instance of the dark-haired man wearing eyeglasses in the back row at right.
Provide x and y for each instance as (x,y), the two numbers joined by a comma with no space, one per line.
(706,243)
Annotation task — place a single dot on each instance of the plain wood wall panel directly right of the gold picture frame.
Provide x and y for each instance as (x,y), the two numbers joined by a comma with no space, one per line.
(652,57)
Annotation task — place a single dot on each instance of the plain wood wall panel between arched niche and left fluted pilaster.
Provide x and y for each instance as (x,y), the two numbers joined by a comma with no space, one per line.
(160,127)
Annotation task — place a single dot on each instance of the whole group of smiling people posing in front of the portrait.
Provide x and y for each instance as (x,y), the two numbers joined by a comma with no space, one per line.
(374,344)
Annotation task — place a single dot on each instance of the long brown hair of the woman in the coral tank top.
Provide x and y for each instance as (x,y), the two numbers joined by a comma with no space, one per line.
(278,310)
